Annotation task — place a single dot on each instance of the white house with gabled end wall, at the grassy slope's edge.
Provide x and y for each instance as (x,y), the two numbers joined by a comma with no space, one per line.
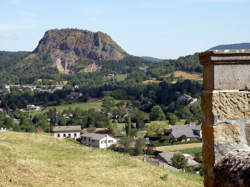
(98,140)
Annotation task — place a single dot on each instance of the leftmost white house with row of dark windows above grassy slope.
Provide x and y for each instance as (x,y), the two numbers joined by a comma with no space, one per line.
(66,131)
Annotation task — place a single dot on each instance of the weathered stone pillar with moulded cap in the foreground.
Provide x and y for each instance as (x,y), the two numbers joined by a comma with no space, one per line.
(226,116)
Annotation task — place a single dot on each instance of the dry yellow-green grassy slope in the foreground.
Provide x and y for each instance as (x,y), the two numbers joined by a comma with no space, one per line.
(42,160)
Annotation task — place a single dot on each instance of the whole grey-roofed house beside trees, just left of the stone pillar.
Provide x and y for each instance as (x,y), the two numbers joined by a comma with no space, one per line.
(184,132)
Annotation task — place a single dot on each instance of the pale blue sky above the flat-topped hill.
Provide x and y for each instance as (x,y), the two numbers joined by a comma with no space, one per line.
(158,28)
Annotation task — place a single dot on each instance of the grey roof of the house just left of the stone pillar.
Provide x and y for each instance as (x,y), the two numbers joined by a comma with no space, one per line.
(186,130)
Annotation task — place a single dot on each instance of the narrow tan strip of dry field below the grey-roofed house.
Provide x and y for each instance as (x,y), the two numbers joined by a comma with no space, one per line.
(178,147)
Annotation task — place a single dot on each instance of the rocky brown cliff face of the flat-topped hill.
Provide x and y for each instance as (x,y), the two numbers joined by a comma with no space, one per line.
(66,47)
